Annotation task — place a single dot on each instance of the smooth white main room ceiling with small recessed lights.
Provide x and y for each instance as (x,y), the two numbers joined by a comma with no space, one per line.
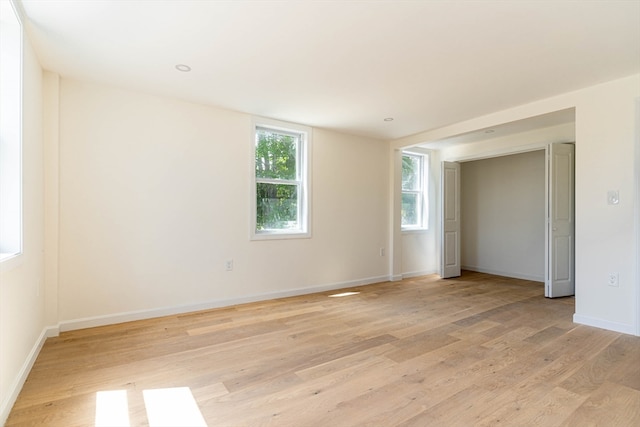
(343,65)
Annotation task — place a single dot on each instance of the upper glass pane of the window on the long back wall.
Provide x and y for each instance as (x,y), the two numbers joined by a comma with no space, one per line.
(276,155)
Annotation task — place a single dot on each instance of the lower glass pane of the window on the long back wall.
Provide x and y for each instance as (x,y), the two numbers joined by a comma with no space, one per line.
(277,206)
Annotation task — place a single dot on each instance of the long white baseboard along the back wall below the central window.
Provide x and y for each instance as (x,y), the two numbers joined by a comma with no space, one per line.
(110,319)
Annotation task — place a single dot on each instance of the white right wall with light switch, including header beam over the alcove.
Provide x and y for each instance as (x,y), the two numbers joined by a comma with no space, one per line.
(605,135)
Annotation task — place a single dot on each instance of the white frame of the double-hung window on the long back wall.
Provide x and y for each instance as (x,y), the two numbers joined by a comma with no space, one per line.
(303,180)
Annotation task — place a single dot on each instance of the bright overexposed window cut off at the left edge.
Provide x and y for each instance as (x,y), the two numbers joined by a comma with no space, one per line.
(10,132)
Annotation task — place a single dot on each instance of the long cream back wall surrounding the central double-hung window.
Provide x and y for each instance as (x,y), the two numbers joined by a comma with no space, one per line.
(154,199)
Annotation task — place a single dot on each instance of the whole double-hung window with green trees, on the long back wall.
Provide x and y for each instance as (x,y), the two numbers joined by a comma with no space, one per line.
(280,181)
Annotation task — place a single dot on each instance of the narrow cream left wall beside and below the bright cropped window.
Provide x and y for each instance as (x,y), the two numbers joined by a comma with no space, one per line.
(21,279)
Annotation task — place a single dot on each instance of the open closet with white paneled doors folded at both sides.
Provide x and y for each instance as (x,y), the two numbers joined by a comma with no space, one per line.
(518,217)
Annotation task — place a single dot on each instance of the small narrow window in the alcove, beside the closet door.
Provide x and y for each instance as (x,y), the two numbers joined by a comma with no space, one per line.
(414,211)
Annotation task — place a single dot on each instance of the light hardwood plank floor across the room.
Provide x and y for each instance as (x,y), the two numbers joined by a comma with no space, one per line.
(479,350)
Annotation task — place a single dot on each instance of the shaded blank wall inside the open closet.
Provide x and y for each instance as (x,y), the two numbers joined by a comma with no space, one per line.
(503,215)
